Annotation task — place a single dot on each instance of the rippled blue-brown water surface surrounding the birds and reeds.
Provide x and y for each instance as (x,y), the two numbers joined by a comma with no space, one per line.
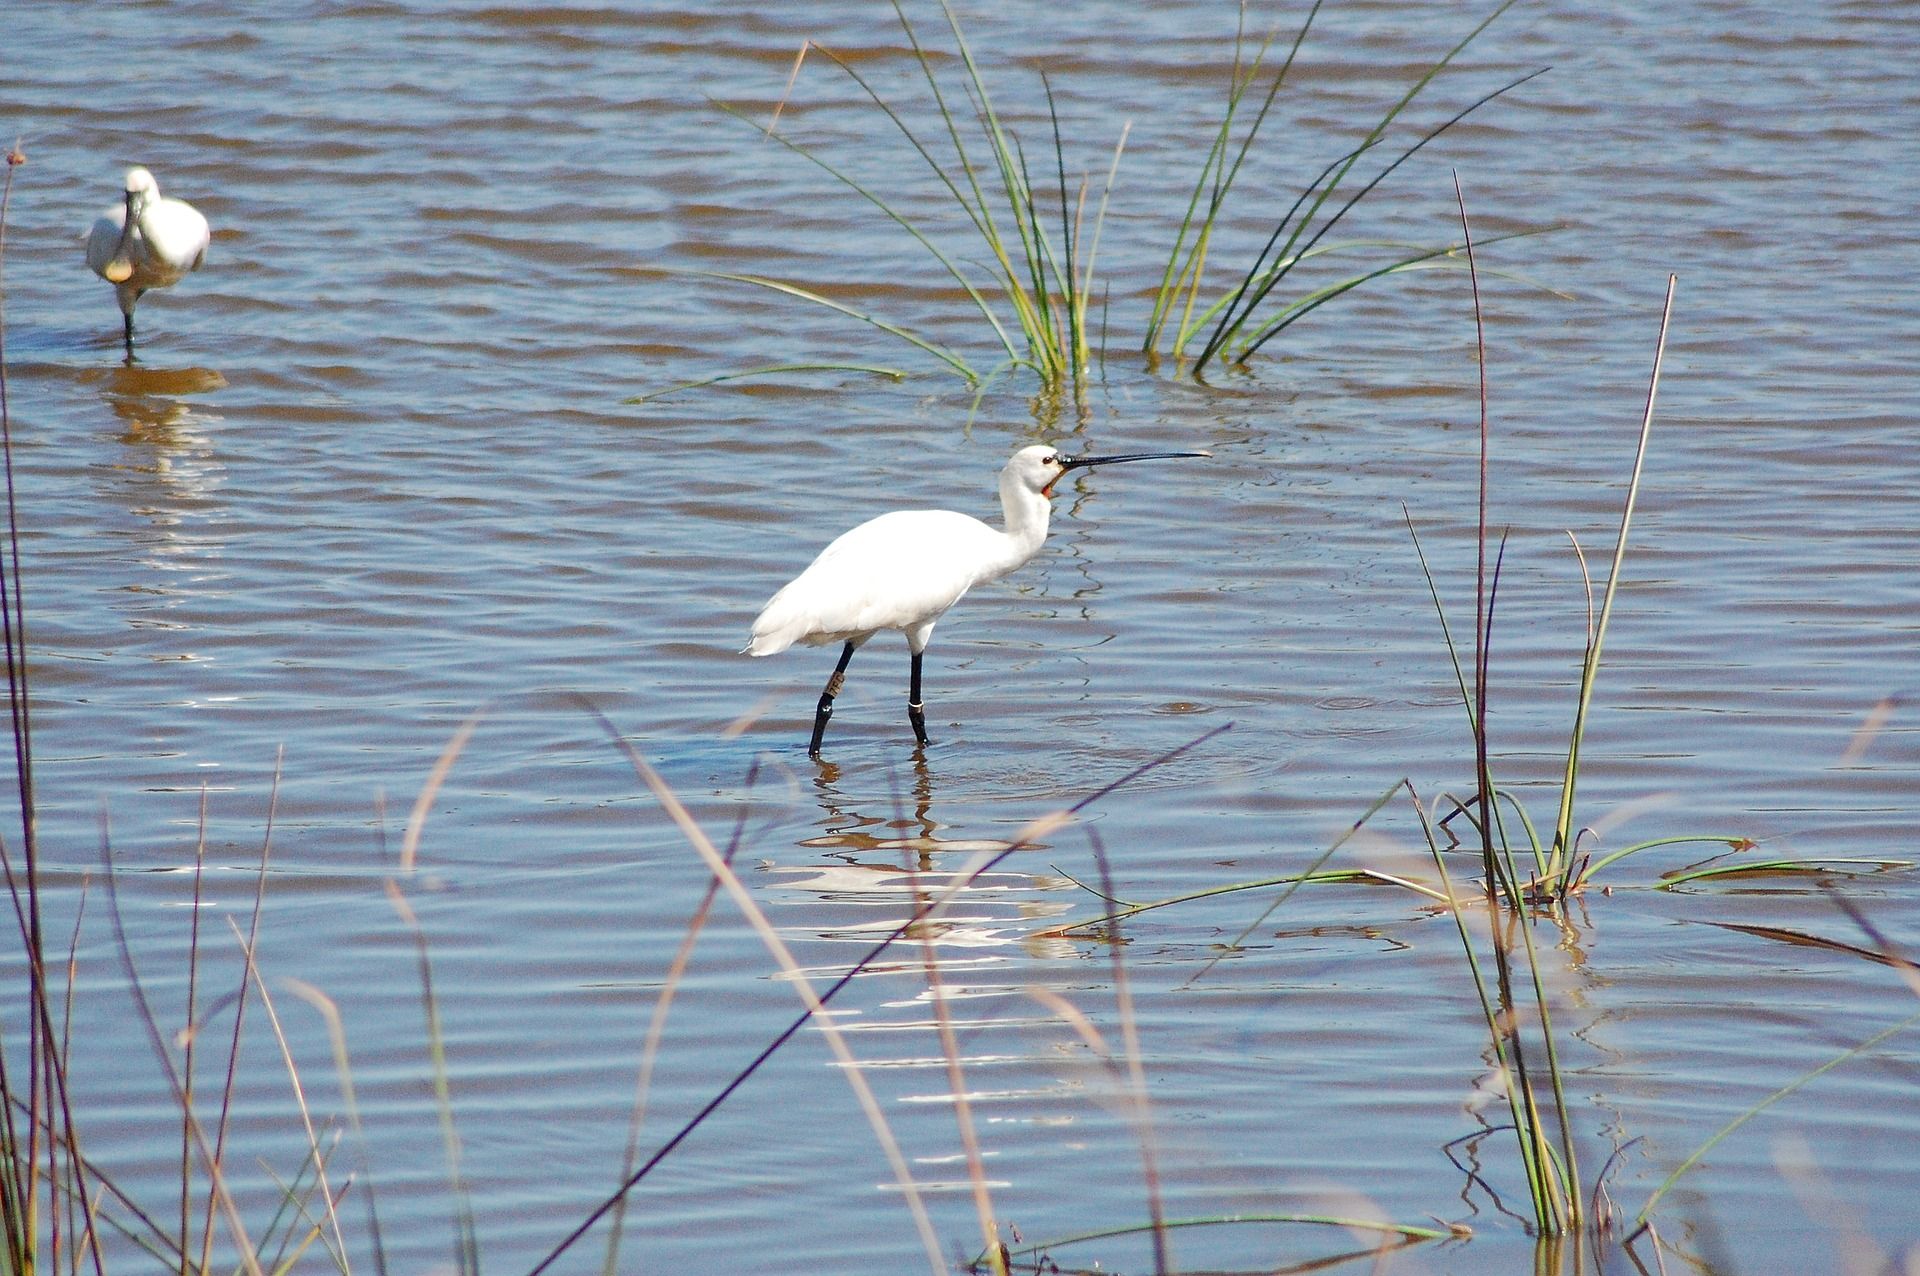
(377,471)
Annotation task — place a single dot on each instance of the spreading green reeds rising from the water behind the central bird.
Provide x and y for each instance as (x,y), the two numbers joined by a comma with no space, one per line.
(1044,300)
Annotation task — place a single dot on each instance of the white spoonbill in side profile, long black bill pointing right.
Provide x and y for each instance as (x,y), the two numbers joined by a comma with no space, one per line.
(905,569)
